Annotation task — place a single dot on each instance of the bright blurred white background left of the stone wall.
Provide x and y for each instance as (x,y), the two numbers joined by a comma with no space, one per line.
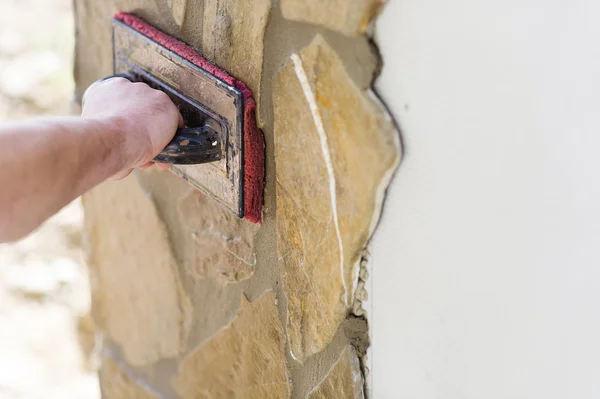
(44,291)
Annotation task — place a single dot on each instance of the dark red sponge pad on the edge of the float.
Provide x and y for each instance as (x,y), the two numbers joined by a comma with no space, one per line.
(254,144)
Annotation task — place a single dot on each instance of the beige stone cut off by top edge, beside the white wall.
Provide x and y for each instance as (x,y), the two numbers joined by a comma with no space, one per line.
(350,17)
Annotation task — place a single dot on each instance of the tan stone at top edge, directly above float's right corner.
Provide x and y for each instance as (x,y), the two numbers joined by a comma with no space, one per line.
(233,35)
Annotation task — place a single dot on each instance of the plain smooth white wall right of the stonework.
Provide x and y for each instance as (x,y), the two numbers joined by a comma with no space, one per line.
(486,267)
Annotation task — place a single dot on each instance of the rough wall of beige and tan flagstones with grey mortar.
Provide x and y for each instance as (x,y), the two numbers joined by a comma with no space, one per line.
(192,302)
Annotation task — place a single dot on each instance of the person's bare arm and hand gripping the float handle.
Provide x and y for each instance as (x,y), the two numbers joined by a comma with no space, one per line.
(47,163)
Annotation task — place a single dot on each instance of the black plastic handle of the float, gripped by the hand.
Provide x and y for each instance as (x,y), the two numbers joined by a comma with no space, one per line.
(190,145)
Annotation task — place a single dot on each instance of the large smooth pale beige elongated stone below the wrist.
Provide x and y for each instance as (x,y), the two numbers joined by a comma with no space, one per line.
(137,296)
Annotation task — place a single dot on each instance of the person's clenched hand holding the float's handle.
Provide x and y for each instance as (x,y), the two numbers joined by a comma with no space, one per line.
(146,117)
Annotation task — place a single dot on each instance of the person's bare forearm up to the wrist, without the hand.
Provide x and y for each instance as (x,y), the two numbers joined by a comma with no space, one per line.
(45,164)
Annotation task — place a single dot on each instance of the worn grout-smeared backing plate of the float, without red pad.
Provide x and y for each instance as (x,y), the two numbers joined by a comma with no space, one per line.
(203,100)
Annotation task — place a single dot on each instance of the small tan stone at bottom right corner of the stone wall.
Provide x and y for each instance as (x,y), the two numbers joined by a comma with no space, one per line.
(344,380)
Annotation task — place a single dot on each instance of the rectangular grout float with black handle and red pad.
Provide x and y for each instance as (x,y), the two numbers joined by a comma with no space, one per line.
(221,150)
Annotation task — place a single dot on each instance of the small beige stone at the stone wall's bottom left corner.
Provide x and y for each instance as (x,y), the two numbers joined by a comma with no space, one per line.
(117,384)
